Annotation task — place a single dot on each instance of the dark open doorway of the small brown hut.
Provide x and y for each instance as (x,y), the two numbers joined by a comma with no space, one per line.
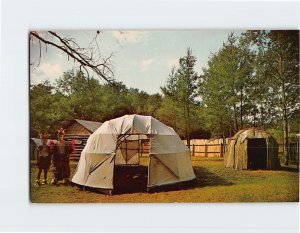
(257,153)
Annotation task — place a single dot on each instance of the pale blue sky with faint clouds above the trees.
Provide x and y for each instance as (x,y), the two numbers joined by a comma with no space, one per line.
(141,59)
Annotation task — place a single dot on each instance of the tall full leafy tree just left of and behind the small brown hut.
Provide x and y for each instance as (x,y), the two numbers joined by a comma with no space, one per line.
(225,84)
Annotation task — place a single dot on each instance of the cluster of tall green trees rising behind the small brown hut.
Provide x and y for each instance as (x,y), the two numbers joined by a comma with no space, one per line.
(253,80)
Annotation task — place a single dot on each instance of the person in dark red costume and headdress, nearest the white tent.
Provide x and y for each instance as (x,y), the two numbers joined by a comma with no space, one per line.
(61,159)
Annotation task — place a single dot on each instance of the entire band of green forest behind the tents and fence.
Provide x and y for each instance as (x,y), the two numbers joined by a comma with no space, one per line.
(252,81)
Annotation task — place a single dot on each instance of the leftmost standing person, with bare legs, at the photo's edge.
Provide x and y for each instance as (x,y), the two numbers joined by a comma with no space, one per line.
(43,159)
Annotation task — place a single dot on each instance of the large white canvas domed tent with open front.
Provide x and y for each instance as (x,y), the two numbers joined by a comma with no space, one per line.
(169,158)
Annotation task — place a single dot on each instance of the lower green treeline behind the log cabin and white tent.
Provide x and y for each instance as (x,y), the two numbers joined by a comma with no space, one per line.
(75,96)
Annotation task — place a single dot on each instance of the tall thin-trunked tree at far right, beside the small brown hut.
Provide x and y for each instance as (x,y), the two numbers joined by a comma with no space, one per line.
(280,55)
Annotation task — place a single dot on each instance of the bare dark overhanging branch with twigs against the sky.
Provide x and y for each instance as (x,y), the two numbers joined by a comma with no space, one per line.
(88,58)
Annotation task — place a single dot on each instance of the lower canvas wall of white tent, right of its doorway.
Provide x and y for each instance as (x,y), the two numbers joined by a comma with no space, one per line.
(172,168)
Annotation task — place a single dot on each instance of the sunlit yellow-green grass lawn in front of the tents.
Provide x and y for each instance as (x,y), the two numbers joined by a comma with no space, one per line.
(213,183)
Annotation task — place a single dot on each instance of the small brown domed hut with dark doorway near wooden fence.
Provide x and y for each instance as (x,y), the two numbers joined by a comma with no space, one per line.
(252,149)
